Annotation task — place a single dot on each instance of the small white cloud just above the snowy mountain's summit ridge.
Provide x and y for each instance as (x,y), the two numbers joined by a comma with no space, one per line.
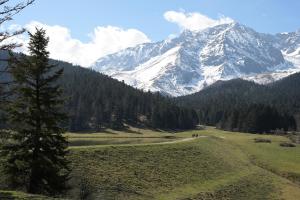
(194,21)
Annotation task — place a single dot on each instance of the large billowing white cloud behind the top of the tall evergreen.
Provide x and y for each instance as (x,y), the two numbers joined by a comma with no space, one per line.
(103,41)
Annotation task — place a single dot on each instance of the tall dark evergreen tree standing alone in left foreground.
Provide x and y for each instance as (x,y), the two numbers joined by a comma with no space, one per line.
(36,157)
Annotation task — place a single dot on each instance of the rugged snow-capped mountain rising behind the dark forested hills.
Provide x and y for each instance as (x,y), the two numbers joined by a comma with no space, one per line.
(193,60)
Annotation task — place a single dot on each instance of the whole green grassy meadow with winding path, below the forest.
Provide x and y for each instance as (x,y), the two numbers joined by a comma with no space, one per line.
(146,164)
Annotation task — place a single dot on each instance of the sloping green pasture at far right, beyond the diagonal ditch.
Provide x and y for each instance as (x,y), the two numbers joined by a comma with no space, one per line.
(279,160)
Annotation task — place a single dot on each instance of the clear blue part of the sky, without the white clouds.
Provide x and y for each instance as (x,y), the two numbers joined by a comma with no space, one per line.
(81,17)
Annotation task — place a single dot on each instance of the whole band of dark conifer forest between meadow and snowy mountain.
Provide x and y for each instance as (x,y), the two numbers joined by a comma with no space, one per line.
(95,101)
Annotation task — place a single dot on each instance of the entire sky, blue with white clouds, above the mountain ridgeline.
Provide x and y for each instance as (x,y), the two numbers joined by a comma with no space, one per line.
(83,31)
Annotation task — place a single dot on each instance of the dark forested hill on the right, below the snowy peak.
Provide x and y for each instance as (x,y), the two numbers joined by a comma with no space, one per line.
(240,105)
